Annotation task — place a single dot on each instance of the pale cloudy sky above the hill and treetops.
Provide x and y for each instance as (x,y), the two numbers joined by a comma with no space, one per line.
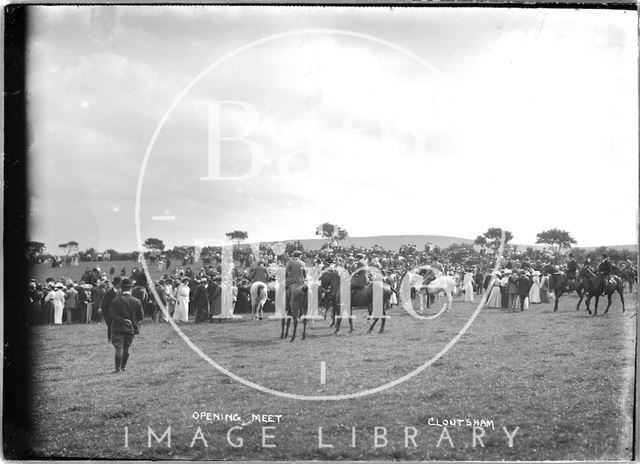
(401,121)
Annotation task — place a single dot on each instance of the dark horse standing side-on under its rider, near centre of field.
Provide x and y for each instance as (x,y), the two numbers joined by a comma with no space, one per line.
(363,298)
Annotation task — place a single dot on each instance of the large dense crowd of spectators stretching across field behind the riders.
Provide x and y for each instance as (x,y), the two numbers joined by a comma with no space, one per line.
(200,293)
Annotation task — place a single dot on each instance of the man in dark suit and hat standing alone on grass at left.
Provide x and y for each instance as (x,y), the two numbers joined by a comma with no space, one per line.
(125,312)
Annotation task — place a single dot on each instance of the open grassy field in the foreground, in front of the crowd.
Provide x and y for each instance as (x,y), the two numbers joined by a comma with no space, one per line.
(564,379)
